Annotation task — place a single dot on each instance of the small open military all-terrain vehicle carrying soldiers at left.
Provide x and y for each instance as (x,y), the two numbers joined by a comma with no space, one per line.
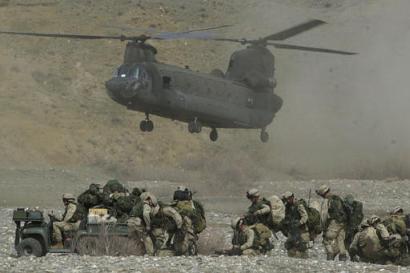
(34,237)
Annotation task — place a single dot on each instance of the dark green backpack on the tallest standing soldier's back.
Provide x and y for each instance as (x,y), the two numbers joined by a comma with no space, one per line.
(354,213)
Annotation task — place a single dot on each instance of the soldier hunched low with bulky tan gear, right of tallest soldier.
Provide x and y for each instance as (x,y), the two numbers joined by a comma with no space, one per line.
(373,244)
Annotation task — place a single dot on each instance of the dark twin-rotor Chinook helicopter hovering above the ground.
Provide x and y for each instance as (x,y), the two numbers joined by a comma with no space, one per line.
(242,97)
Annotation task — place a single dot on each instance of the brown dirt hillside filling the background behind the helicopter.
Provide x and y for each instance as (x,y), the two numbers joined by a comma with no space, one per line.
(54,111)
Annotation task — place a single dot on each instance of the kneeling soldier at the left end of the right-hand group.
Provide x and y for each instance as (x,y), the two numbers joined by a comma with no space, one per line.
(250,240)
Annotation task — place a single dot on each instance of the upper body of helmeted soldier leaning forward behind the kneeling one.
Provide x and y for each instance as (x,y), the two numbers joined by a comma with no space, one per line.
(259,211)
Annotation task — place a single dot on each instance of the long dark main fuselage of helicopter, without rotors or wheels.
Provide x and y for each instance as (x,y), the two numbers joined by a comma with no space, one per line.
(185,95)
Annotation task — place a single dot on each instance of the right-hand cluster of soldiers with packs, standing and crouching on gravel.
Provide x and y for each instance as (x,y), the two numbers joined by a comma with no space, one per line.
(340,220)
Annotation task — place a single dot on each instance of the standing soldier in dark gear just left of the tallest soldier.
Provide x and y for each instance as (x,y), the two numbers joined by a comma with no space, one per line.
(295,227)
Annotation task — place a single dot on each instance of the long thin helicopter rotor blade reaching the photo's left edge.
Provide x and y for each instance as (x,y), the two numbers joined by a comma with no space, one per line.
(69,36)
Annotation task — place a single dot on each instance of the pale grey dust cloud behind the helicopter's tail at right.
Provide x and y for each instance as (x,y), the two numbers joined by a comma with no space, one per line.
(343,116)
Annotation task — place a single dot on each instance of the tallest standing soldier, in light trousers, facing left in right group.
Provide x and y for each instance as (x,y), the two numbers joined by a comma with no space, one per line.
(334,224)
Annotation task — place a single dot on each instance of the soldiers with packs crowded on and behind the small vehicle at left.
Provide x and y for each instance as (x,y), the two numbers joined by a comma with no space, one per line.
(159,226)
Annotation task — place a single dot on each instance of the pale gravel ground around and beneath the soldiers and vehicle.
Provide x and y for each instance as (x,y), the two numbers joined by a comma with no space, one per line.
(378,197)
